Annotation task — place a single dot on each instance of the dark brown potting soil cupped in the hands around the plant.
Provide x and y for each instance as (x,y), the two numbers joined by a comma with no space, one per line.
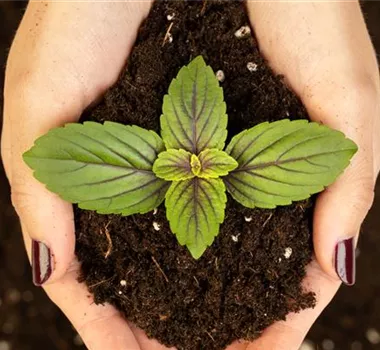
(251,276)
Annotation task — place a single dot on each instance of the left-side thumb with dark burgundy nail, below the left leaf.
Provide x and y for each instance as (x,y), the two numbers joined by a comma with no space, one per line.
(50,224)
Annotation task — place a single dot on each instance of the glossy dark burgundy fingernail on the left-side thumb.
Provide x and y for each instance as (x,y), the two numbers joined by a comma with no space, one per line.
(41,263)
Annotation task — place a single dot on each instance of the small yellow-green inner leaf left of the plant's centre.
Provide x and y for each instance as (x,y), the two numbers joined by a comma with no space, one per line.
(173,165)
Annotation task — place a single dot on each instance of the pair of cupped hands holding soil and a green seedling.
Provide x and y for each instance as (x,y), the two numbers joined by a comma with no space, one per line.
(64,57)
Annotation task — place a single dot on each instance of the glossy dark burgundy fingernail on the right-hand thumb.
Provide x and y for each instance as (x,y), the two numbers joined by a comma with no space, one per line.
(345,264)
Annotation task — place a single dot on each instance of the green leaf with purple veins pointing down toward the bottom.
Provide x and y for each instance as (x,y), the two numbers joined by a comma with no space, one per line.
(195,210)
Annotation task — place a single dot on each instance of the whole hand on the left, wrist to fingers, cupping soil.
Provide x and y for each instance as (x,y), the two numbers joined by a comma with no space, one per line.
(64,57)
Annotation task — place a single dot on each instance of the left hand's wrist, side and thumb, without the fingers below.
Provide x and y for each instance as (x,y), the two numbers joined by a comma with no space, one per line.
(55,95)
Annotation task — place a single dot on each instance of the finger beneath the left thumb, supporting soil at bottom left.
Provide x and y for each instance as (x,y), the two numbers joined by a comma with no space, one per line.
(100,327)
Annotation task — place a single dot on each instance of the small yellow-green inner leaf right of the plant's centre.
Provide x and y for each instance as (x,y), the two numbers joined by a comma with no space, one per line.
(215,163)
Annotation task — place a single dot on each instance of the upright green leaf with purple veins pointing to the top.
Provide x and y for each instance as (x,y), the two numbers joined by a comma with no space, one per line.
(194,113)
